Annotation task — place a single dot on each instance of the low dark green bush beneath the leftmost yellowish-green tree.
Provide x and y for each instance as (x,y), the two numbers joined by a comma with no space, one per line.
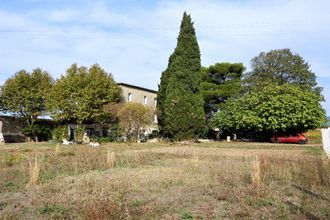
(37,132)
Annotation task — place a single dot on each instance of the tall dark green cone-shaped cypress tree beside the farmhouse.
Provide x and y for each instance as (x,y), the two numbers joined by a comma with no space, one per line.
(180,102)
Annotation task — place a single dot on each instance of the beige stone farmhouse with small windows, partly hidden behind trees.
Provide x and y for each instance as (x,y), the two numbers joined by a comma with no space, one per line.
(10,127)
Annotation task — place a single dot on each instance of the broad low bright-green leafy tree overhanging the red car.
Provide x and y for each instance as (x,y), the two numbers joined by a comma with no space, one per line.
(277,109)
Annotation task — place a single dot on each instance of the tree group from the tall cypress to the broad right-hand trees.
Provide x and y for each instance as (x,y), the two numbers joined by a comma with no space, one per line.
(278,96)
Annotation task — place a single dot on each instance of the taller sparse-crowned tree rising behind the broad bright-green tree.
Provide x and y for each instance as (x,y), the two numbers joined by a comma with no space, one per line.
(281,67)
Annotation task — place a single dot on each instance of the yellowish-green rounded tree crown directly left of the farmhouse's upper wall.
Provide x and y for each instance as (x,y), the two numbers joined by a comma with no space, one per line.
(80,95)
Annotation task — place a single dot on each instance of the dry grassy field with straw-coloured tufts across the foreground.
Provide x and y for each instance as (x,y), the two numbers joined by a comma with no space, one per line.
(215,180)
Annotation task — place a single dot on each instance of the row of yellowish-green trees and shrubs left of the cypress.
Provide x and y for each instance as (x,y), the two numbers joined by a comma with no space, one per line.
(81,96)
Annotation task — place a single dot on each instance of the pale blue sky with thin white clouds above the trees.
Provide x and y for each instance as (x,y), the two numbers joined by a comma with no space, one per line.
(133,39)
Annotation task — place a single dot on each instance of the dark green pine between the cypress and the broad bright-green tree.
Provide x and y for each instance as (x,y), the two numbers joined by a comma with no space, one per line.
(220,82)
